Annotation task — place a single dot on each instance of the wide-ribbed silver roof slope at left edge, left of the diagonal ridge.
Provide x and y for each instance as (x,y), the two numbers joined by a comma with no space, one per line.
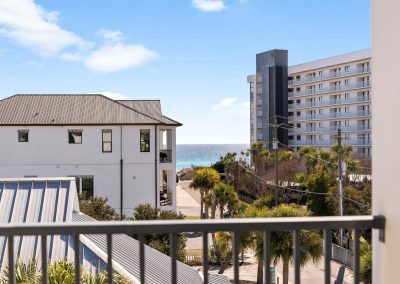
(35,201)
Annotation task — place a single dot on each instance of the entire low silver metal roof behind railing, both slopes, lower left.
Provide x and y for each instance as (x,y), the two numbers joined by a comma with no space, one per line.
(31,200)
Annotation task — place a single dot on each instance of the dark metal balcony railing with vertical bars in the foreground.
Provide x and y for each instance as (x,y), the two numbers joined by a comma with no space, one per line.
(173,227)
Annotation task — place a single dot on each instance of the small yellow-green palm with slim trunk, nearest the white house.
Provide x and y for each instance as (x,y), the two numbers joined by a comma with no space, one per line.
(204,180)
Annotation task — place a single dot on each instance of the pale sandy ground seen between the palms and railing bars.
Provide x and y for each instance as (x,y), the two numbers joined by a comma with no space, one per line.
(188,202)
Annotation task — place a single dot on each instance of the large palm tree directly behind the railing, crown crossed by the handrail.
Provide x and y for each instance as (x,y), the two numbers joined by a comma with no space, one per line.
(282,242)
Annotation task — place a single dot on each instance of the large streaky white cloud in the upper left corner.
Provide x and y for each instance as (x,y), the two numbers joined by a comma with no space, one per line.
(30,25)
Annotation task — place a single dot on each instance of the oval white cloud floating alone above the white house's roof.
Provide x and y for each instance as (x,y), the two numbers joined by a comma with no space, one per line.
(112,58)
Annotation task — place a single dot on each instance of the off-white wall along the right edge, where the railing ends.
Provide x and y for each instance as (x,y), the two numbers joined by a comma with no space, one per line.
(385,122)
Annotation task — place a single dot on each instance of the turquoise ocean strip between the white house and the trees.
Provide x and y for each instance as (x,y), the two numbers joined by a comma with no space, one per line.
(188,155)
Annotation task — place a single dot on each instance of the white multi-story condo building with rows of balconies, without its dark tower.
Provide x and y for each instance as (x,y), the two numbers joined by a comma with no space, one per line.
(323,96)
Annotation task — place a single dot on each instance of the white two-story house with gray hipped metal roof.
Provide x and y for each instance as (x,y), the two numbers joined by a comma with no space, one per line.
(121,150)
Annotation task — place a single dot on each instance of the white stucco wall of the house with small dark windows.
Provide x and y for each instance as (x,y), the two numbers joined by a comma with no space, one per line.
(48,154)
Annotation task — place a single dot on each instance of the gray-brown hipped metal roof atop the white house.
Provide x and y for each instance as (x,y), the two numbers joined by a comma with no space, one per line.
(66,109)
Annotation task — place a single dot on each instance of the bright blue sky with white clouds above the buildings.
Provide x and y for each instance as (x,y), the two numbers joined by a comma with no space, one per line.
(193,55)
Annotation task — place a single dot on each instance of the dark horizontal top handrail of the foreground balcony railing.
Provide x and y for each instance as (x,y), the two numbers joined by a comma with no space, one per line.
(176,226)
